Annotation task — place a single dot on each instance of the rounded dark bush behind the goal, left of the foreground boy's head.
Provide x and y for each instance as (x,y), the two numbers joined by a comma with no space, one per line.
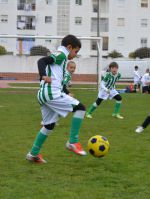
(39,50)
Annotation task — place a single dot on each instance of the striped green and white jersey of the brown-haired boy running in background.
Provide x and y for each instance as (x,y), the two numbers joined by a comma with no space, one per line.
(109,80)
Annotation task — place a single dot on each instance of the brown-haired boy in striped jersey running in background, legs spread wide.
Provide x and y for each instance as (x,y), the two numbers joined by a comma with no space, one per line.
(107,90)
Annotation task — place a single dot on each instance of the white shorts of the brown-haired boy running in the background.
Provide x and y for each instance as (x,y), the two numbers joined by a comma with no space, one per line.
(104,95)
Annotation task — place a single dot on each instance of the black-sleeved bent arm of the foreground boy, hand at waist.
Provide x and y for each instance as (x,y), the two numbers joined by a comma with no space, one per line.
(42,64)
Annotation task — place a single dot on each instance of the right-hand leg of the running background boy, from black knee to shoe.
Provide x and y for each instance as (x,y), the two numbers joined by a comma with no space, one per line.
(117,107)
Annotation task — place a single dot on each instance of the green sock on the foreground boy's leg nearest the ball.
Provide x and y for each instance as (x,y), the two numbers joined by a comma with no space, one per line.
(75,127)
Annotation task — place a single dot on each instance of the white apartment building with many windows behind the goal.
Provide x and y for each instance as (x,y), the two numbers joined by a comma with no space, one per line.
(124,25)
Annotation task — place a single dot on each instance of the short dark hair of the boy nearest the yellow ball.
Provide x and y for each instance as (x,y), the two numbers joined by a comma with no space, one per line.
(71,40)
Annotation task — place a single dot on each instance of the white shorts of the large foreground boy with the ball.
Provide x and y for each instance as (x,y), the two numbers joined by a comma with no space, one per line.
(61,106)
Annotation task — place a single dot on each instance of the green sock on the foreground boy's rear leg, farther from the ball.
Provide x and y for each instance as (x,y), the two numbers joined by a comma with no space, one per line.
(39,140)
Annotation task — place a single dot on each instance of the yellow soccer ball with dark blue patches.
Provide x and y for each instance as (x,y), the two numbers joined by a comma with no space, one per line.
(98,146)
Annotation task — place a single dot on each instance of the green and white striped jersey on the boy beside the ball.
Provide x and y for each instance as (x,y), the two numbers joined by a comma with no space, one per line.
(55,71)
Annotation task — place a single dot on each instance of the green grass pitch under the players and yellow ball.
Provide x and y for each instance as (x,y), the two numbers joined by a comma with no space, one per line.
(123,174)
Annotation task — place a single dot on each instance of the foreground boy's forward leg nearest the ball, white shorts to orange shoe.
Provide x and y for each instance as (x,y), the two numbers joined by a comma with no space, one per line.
(62,106)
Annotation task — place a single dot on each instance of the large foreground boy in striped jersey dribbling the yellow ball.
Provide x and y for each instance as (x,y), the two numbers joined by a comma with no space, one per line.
(54,102)
